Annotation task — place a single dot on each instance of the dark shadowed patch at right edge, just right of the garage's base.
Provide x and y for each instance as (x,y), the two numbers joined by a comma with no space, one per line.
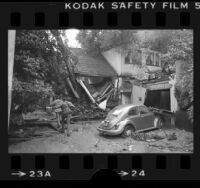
(182,121)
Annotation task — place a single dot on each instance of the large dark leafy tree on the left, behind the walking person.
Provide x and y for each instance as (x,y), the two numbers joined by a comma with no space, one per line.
(39,62)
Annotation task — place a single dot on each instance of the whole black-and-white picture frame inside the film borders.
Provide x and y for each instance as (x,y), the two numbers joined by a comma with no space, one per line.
(100,91)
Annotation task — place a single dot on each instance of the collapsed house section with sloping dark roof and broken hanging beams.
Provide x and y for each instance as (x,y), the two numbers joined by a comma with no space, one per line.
(96,76)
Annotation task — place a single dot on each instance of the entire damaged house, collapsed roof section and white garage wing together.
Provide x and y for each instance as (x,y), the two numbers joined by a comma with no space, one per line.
(133,76)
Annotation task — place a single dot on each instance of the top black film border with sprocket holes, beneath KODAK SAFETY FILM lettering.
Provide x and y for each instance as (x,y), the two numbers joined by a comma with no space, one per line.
(54,15)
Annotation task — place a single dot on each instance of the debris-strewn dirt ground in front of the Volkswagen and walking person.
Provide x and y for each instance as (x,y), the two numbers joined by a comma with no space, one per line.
(85,138)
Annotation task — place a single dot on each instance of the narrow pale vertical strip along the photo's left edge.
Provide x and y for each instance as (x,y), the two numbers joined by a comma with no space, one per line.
(11,52)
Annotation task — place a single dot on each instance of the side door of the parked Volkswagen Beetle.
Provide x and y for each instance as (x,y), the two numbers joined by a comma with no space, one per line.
(146,118)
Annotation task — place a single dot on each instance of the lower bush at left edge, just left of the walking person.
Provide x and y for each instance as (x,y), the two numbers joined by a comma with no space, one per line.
(28,96)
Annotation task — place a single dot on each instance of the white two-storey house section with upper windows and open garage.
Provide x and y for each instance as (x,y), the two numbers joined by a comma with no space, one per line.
(141,79)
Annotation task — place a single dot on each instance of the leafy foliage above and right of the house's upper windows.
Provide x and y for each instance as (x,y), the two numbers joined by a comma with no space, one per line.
(177,45)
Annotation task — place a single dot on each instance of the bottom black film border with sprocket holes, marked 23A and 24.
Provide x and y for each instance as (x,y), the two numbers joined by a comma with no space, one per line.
(88,166)
